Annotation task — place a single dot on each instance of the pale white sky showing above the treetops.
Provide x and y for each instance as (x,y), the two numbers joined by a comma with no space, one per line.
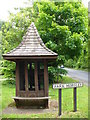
(9,5)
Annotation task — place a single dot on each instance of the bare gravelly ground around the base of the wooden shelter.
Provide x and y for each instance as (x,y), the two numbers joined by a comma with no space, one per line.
(53,107)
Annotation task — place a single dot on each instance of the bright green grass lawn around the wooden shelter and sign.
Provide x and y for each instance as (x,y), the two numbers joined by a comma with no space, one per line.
(8,90)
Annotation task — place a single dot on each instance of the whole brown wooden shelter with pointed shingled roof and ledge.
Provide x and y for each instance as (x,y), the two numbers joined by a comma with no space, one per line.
(31,58)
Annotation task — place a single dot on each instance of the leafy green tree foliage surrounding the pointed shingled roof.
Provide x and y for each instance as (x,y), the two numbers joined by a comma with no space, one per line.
(62,27)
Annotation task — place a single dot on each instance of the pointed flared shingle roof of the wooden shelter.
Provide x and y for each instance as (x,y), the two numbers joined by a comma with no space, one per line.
(32,45)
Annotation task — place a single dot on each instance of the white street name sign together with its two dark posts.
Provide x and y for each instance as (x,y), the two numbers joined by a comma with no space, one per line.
(68,85)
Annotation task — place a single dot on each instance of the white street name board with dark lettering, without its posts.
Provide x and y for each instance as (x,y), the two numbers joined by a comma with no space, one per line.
(68,85)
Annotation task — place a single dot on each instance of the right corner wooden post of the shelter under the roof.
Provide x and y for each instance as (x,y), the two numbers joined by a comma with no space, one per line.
(46,78)
